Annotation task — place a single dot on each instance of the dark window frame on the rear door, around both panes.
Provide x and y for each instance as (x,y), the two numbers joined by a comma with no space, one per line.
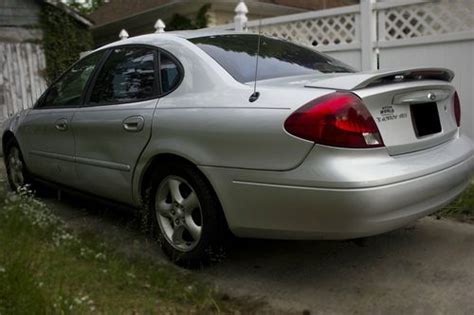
(157,88)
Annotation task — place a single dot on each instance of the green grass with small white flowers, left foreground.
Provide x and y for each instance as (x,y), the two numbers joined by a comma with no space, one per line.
(46,269)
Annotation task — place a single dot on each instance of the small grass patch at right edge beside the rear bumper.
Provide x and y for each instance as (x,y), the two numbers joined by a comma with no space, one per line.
(462,208)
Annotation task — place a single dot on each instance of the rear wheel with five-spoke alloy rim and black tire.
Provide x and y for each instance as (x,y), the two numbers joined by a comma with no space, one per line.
(191,233)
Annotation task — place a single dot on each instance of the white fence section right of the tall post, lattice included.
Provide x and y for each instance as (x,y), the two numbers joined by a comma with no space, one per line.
(432,34)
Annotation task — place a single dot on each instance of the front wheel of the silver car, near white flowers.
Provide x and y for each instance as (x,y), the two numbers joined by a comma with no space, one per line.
(17,173)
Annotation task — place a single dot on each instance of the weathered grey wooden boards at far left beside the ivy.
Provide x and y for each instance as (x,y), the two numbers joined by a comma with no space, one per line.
(22,60)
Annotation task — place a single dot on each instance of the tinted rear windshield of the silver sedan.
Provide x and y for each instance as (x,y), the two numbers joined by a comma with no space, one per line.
(277,58)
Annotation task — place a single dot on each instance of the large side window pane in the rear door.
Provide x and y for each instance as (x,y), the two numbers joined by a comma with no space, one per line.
(128,75)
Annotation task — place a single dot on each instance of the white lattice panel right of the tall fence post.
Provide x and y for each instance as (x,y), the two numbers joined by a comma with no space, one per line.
(427,19)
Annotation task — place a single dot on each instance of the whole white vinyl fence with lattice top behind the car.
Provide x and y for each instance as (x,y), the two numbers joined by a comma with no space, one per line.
(388,34)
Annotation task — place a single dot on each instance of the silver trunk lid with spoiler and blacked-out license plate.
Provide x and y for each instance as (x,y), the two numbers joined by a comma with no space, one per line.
(413,108)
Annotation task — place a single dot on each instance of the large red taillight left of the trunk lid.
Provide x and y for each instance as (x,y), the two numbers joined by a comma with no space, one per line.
(338,119)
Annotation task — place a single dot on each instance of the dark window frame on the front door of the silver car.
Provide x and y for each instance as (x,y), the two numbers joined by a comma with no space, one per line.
(42,98)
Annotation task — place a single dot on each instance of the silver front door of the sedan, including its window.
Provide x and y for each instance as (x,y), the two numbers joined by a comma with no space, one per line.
(46,135)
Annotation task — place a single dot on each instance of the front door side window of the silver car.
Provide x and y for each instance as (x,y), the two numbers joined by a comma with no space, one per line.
(67,91)
